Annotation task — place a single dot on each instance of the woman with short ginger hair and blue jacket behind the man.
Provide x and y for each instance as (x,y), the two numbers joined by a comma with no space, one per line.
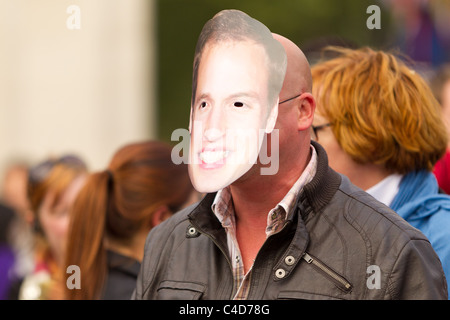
(382,127)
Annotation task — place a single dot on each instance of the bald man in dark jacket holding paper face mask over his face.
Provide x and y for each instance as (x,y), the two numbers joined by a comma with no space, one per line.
(302,232)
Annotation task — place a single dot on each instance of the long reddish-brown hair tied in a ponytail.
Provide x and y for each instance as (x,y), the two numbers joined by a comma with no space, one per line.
(119,201)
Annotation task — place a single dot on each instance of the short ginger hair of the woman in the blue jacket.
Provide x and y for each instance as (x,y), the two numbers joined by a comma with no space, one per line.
(381,111)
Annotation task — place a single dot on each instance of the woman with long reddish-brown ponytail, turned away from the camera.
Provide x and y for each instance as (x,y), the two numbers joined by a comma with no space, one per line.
(113,214)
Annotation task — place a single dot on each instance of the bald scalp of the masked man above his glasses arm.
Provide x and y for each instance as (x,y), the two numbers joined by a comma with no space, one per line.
(298,74)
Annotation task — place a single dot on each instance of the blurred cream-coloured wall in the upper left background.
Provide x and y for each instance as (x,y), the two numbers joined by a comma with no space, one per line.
(76,76)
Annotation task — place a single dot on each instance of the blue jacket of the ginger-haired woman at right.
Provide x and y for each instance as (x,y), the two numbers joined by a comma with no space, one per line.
(419,202)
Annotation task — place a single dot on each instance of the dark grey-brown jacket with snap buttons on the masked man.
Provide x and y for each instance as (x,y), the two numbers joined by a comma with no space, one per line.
(339,243)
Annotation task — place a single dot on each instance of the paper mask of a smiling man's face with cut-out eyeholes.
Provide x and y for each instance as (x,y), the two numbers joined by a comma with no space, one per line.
(234,105)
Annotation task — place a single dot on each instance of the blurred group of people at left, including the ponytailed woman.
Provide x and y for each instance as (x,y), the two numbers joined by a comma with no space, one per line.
(57,213)
